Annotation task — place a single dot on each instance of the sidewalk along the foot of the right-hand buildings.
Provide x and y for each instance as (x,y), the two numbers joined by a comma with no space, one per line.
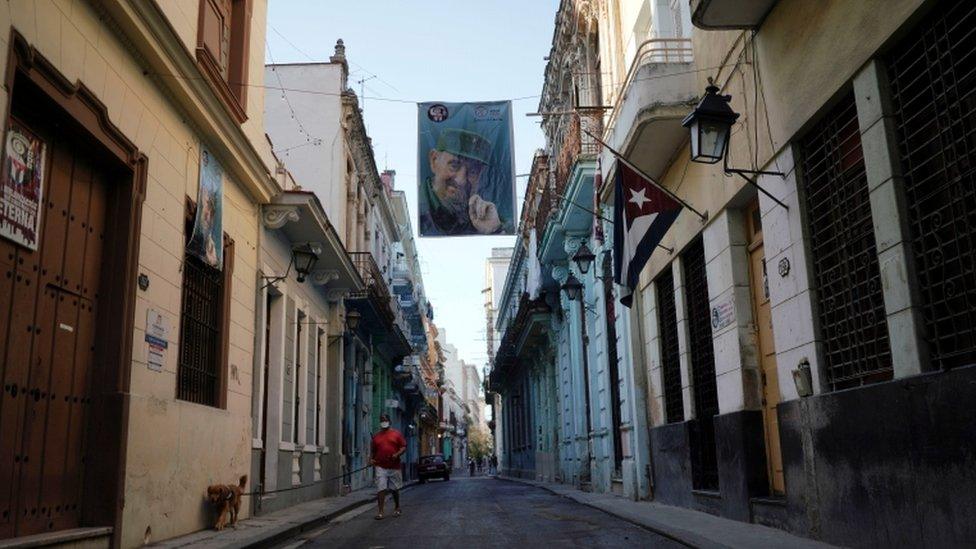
(692,528)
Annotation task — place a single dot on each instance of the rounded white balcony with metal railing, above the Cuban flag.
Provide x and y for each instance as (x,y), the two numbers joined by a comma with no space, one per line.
(660,89)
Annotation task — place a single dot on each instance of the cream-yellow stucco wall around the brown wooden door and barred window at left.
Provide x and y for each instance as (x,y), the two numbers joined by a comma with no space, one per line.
(174,448)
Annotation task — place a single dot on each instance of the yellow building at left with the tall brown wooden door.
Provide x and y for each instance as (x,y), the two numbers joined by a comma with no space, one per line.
(126,95)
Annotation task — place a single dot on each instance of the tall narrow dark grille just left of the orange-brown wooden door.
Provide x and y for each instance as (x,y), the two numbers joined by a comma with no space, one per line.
(704,465)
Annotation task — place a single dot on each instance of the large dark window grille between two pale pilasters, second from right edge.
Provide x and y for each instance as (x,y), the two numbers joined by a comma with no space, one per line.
(850,303)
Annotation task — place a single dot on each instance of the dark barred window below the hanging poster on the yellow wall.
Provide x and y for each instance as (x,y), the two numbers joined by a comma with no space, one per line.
(204,317)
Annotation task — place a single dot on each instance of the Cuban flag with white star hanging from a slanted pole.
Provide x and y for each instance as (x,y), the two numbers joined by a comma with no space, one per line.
(642,214)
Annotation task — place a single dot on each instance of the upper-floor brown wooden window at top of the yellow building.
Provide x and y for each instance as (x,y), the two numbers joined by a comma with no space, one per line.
(223,38)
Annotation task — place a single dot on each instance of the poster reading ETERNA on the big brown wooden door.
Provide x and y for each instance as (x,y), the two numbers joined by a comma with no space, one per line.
(22,186)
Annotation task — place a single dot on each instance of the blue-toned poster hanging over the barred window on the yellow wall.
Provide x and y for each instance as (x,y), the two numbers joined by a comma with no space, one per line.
(207,243)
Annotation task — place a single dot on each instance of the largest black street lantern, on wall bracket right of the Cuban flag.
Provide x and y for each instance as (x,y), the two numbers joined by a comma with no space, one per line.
(710,124)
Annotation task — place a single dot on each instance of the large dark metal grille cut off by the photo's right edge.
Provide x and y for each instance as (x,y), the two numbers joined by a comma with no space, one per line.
(933,75)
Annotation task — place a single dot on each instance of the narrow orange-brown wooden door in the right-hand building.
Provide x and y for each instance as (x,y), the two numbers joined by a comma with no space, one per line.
(767,350)
